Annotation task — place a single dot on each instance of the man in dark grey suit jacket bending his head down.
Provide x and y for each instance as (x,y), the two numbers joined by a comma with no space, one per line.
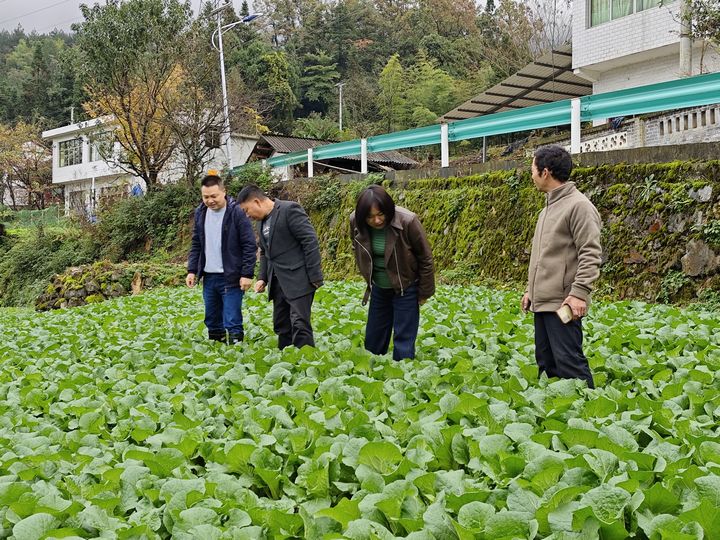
(289,263)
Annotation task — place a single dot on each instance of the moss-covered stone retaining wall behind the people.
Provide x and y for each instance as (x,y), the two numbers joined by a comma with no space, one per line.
(661,234)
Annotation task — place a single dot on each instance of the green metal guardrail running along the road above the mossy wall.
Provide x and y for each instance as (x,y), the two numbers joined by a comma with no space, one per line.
(689,92)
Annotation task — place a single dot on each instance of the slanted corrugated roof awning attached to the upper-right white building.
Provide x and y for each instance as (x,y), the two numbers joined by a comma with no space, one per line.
(547,79)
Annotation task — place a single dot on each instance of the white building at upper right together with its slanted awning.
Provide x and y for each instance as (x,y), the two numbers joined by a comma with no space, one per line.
(616,45)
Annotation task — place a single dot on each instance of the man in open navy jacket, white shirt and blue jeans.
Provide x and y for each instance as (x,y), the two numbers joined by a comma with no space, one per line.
(223,254)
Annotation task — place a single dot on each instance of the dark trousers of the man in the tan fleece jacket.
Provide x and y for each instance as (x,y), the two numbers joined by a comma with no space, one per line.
(558,348)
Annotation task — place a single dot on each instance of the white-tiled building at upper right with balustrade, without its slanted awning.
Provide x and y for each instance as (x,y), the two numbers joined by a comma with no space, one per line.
(618,44)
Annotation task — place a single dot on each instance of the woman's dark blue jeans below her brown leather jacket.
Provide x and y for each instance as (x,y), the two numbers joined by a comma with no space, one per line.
(389,314)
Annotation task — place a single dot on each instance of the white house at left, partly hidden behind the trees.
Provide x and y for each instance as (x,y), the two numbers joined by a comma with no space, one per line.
(87,177)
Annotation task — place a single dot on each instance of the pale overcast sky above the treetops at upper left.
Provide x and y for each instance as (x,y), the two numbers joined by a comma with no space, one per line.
(45,15)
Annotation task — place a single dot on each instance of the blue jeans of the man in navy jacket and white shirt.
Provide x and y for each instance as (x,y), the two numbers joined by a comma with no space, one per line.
(223,305)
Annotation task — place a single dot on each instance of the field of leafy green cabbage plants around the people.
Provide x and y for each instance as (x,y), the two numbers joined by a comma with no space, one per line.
(120,420)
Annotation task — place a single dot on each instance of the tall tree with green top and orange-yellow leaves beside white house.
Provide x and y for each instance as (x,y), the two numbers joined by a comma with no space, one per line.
(133,74)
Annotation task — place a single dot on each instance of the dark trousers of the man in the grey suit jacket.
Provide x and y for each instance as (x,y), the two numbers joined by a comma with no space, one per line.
(291,318)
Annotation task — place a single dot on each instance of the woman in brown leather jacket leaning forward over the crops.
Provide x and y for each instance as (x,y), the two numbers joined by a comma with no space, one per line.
(394,256)
